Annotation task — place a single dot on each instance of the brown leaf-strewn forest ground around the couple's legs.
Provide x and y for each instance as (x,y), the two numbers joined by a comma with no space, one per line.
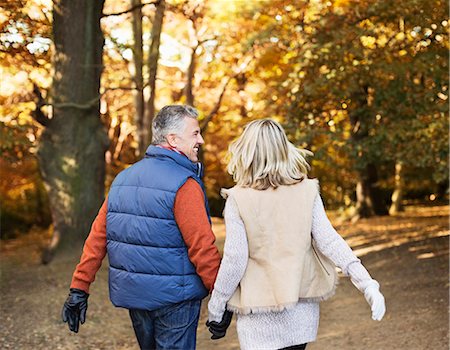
(407,254)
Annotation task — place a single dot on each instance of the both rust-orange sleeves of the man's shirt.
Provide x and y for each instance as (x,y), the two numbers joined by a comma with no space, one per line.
(192,220)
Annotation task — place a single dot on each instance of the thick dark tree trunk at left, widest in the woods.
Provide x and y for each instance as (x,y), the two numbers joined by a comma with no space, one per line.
(73,144)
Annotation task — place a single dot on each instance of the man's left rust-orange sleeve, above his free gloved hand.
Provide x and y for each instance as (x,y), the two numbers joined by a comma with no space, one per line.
(93,252)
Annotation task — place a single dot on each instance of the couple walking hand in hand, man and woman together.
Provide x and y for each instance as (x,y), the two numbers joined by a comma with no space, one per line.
(279,256)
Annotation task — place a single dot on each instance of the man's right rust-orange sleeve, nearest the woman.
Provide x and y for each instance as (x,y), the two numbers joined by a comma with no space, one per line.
(190,215)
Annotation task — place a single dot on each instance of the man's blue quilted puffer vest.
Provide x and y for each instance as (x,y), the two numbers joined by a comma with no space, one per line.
(149,265)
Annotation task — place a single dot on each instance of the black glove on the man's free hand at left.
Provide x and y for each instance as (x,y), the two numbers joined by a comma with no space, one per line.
(74,309)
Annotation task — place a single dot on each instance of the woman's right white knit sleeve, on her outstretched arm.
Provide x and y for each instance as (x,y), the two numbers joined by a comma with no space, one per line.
(333,246)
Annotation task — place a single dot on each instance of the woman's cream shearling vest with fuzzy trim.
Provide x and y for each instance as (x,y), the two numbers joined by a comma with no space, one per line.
(284,266)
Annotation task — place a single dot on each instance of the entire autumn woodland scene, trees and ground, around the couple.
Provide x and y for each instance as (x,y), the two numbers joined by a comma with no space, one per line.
(363,84)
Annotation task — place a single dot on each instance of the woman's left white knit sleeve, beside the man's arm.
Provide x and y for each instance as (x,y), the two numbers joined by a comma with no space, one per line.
(234,262)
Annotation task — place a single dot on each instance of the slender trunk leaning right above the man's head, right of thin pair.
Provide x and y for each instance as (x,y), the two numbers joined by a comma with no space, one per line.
(152,68)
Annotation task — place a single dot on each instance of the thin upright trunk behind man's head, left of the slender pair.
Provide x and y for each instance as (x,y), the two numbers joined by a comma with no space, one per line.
(138,56)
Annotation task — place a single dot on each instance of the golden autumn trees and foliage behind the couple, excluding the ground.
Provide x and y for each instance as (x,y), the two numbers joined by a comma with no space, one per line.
(363,84)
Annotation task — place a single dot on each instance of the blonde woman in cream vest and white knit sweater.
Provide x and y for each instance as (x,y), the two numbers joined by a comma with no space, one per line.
(280,248)
